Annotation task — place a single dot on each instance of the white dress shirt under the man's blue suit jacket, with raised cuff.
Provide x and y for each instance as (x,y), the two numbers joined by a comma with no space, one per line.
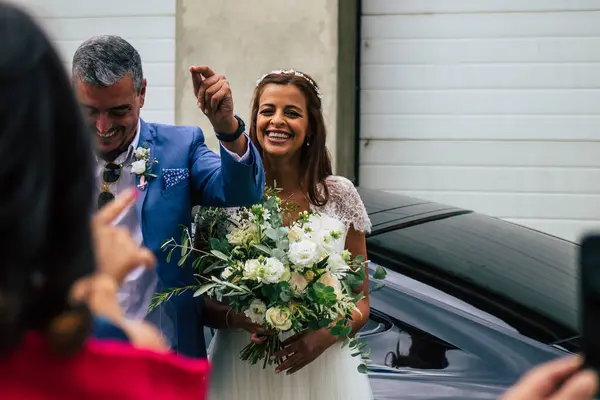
(140,285)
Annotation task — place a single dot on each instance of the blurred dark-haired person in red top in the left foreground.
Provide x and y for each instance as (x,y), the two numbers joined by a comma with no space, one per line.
(60,274)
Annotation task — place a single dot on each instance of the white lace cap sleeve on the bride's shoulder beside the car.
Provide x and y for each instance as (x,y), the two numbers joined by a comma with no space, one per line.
(346,205)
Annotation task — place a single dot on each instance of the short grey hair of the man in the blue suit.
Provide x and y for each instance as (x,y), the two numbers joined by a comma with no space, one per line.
(105,60)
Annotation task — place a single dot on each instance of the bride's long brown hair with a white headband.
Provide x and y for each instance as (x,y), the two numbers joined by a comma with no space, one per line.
(315,160)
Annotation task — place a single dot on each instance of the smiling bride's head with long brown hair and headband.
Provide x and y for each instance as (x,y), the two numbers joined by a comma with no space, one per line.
(287,122)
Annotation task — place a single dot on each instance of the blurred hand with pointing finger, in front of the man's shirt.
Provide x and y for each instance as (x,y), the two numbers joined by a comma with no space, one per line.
(117,253)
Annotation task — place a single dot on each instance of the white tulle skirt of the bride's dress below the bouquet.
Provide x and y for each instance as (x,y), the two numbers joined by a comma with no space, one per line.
(332,376)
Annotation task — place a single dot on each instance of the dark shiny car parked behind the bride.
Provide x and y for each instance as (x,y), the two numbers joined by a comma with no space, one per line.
(470,302)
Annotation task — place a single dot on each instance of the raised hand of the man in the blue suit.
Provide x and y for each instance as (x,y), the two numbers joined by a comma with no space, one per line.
(214,98)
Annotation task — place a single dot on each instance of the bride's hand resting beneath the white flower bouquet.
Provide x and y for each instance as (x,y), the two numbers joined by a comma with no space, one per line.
(303,348)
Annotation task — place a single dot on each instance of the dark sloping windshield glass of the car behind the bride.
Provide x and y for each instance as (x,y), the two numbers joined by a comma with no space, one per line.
(535,270)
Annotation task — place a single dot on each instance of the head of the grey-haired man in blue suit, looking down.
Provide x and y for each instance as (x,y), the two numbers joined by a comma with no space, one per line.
(110,85)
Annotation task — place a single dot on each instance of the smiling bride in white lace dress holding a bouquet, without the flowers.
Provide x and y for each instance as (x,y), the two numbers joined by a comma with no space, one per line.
(287,127)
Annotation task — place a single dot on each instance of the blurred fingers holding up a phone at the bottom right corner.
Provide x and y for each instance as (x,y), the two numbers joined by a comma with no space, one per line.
(556,380)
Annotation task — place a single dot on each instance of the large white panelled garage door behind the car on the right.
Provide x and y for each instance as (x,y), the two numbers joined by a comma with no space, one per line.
(491,105)
